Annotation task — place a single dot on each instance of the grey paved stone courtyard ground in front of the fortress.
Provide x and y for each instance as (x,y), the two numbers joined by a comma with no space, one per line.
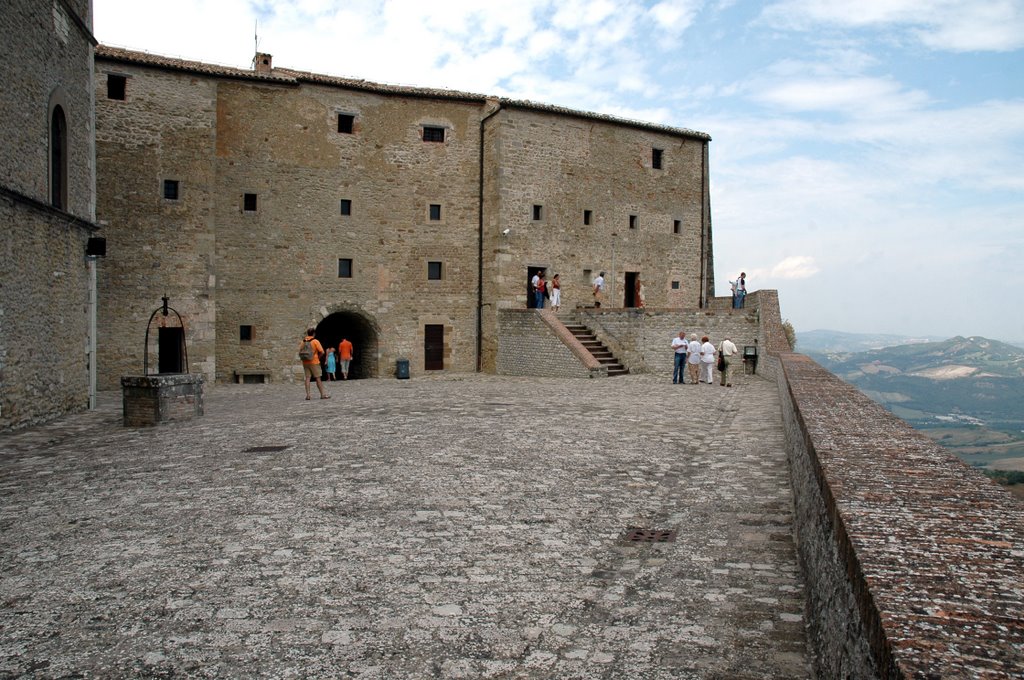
(453,528)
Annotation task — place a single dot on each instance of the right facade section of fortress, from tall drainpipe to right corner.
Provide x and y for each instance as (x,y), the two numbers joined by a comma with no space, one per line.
(568,166)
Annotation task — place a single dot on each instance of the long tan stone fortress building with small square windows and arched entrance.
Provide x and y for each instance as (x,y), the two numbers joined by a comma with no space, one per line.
(264,202)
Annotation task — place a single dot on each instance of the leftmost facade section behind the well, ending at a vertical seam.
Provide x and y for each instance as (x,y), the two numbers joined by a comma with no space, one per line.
(163,131)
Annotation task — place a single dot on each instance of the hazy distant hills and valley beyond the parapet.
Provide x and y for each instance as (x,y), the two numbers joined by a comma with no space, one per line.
(967,394)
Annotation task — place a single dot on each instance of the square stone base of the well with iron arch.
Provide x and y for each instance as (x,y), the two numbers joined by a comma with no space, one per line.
(163,398)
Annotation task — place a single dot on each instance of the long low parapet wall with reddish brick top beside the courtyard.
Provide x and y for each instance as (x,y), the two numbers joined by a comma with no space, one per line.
(913,560)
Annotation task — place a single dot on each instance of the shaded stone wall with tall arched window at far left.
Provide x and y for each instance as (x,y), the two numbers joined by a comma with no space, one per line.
(47,62)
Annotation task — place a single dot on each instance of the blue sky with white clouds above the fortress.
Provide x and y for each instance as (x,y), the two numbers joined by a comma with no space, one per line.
(867,158)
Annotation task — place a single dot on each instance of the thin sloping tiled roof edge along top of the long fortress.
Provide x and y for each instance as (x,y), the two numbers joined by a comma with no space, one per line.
(286,76)
